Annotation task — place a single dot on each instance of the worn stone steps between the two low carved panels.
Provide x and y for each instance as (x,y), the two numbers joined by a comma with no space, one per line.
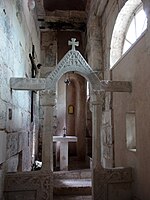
(77,182)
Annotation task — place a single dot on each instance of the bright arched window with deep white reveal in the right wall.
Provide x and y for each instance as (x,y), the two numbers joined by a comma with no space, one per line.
(130,24)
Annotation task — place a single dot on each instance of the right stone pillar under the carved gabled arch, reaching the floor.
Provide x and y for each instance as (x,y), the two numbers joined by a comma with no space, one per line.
(97,103)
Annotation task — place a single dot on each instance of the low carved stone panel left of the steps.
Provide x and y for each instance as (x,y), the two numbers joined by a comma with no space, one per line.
(35,185)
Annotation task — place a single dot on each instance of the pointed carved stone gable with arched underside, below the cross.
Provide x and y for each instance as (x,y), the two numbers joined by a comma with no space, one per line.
(72,61)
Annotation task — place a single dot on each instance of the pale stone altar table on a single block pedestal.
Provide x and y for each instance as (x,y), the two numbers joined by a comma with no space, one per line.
(64,149)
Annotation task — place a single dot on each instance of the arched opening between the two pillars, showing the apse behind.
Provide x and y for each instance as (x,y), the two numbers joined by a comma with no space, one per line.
(71,114)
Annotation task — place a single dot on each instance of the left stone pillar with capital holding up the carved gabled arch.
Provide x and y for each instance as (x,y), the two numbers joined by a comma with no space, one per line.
(48,103)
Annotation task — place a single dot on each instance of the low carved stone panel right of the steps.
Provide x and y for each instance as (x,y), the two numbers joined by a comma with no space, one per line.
(112,184)
